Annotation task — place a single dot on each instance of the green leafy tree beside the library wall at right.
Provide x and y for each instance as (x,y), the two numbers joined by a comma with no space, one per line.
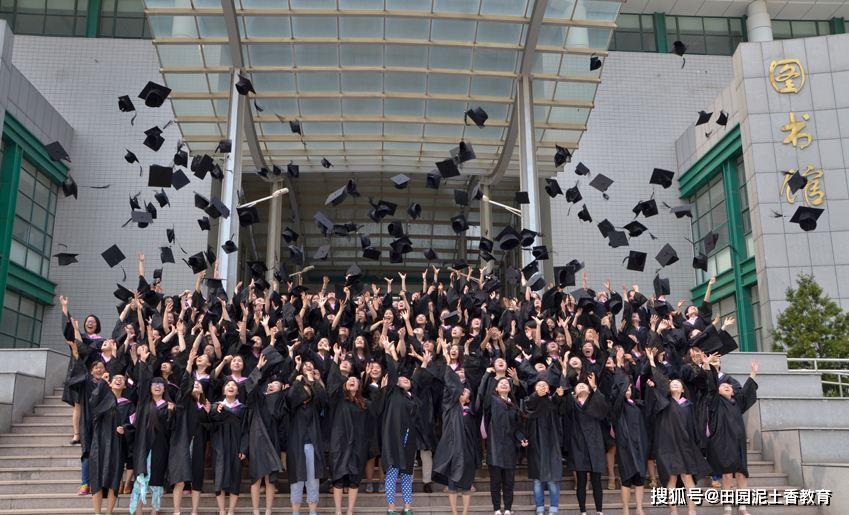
(812,325)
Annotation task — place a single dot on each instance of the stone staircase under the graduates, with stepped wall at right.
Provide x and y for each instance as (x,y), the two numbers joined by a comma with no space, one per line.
(39,471)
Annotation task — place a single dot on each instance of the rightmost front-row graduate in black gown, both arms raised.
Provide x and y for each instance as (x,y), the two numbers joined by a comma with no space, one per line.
(726,431)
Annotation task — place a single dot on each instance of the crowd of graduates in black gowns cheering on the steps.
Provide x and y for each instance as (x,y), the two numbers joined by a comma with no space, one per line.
(355,385)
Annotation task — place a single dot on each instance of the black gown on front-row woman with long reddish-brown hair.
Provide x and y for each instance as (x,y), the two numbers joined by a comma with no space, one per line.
(349,422)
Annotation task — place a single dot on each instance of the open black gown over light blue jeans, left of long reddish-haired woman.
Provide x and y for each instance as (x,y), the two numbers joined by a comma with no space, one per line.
(305,407)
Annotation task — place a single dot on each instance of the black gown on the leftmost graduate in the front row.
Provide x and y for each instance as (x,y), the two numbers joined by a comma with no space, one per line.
(106,452)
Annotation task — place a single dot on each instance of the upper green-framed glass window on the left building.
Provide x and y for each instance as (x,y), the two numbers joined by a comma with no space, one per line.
(32,231)
